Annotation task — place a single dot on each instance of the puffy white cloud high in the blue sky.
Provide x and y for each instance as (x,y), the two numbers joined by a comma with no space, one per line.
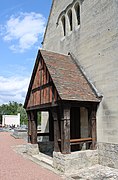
(24,30)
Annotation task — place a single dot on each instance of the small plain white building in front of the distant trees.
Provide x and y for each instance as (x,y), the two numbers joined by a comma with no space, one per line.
(10,120)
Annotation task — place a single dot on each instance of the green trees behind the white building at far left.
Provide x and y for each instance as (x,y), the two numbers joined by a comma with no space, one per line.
(13,108)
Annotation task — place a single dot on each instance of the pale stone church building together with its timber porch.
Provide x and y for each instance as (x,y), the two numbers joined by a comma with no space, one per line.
(75,80)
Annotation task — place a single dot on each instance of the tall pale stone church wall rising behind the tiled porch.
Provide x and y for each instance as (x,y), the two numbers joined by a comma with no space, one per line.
(95,44)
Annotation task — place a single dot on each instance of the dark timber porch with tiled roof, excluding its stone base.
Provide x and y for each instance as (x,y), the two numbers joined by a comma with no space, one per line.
(69,100)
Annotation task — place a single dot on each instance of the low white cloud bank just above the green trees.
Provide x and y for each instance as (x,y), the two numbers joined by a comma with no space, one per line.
(13,89)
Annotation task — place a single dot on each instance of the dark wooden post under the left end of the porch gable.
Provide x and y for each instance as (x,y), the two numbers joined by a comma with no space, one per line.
(33,127)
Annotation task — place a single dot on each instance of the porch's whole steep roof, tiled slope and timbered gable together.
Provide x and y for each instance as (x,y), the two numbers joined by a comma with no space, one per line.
(57,77)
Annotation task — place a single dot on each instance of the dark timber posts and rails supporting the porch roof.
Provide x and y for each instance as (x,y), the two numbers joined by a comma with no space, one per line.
(61,131)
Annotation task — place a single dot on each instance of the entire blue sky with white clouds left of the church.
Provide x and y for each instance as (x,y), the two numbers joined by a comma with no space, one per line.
(22,26)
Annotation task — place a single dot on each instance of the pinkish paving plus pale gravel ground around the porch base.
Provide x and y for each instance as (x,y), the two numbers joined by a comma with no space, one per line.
(14,166)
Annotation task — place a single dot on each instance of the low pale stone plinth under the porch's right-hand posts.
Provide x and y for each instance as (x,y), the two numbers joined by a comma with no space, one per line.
(71,163)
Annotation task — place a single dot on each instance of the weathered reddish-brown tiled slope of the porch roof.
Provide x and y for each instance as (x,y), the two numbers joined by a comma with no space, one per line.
(69,81)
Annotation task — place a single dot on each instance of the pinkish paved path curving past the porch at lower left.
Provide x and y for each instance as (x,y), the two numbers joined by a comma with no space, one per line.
(14,167)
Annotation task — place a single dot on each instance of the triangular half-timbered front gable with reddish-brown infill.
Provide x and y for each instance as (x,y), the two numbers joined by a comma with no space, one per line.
(42,90)
